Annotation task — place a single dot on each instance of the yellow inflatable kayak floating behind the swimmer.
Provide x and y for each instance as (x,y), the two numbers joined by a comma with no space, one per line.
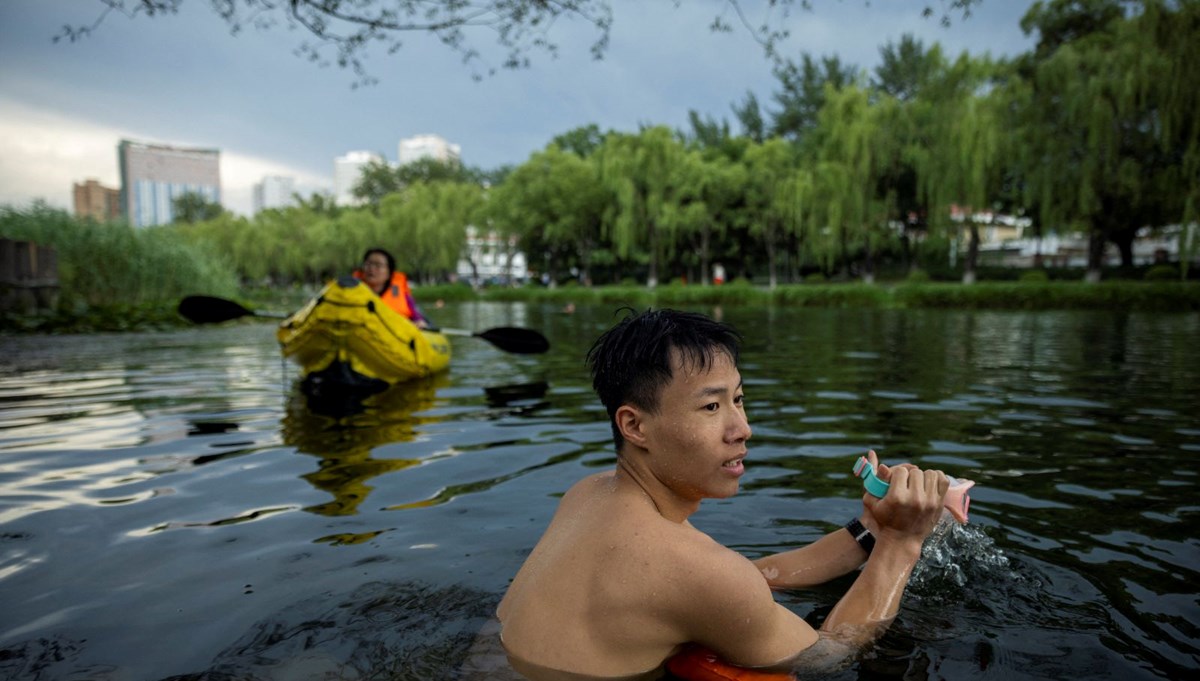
(347,338)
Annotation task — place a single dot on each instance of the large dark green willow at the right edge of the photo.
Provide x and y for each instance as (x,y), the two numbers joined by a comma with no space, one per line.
(1109,131)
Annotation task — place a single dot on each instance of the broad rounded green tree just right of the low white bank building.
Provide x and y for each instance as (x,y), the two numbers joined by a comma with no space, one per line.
(554,204)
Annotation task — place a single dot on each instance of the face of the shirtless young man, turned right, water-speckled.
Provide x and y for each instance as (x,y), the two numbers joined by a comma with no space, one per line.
(698,438)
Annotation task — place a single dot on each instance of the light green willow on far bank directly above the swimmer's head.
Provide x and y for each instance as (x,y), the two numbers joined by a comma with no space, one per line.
(638,172)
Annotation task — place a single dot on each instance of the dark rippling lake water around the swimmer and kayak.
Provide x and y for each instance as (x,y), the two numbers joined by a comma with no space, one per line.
(172,507)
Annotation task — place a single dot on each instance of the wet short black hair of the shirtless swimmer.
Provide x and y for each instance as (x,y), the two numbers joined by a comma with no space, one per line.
(631,364)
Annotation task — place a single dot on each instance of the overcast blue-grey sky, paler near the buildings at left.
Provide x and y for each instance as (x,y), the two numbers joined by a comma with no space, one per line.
(184,80)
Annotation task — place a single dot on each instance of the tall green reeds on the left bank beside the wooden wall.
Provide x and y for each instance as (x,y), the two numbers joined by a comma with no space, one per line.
(112,264)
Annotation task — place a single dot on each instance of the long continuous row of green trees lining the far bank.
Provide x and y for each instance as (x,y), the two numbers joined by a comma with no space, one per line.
(1095,130)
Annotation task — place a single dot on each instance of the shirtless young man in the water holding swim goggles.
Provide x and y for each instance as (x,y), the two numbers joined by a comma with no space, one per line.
(621,581)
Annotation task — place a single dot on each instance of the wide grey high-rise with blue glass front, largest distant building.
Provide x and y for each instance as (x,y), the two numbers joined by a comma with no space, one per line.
(154,176)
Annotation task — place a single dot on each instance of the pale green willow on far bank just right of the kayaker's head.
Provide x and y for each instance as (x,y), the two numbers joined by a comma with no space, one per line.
(425,226)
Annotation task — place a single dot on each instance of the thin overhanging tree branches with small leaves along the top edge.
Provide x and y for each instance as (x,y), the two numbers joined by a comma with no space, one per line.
(521,28)
